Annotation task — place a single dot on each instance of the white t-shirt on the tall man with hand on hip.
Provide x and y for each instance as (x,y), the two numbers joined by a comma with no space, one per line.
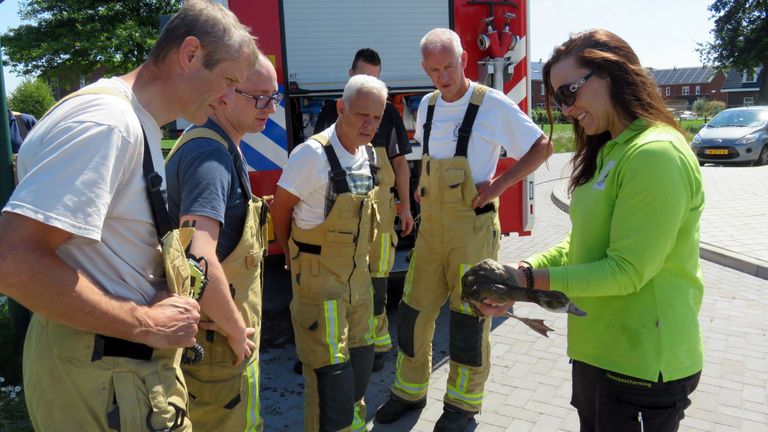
(499,123)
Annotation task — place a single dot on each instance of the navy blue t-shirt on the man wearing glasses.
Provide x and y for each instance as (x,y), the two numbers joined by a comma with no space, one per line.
(203,179)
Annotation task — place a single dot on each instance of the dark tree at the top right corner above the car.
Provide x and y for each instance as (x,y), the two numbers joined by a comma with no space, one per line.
(740,38)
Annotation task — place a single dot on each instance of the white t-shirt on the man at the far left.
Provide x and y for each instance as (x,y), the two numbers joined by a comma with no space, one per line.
(81,171)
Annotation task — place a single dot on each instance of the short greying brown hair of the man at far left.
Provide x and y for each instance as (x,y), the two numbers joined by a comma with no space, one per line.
(220,33)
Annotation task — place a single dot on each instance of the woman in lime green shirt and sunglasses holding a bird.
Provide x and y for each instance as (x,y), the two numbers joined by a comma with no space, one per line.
(631,260)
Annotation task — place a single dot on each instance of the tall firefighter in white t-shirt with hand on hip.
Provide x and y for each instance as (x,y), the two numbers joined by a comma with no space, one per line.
(462,127)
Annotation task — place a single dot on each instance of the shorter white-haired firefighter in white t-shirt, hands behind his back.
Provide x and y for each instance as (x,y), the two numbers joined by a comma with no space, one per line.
(325,219)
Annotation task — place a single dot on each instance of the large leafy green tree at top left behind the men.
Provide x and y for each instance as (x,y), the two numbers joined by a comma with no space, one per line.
(70,38)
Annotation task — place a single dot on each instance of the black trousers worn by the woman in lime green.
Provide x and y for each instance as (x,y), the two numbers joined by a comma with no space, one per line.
(611,402)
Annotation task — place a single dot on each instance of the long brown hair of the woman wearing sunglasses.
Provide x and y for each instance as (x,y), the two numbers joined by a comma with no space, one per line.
(633,92)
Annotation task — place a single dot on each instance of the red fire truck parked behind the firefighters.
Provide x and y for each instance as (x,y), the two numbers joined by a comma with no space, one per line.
(311,43)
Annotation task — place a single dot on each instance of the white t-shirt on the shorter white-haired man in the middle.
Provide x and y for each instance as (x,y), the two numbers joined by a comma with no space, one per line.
(306,175)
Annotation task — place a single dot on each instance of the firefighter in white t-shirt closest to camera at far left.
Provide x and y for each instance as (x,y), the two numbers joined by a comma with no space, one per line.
(81,235)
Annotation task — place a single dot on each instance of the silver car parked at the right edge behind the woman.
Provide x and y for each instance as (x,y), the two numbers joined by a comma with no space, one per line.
(736,135)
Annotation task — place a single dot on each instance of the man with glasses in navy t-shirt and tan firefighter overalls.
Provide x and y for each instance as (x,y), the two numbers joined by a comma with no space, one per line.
(208,187)
